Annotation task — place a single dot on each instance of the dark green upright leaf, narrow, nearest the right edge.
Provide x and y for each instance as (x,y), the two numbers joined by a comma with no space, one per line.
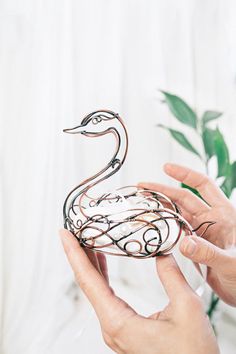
(222,154)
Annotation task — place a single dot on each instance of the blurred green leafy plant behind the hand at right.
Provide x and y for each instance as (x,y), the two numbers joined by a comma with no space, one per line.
(213,145)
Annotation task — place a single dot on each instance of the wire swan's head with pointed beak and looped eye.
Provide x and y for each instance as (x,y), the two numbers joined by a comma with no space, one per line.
(95,124)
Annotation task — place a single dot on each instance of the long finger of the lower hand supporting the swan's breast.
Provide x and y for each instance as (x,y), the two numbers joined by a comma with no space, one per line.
(91,281)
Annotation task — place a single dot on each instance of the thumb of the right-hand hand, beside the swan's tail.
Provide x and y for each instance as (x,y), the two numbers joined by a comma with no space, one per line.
(201,251)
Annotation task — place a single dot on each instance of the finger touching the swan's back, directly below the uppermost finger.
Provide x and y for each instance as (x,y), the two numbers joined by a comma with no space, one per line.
(183,197)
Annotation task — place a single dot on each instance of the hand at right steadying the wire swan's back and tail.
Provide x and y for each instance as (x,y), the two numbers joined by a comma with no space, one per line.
(217,249)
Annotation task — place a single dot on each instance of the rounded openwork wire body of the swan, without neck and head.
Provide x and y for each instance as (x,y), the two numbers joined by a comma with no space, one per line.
(145,223)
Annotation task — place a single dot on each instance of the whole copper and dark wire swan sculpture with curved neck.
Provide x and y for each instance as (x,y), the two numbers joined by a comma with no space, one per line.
(129,221)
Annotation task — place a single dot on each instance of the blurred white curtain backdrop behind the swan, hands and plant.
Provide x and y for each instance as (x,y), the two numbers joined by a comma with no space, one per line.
(60,60)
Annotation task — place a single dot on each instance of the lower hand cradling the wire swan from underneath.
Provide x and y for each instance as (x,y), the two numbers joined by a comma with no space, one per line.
(169,331)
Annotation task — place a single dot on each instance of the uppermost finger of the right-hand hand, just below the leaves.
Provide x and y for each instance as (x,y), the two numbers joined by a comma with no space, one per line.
(207,188)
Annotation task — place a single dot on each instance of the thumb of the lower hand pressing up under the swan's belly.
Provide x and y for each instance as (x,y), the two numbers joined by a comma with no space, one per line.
(172,278)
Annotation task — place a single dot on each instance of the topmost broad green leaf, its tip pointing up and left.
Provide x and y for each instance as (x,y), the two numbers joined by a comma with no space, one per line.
(181,110)
